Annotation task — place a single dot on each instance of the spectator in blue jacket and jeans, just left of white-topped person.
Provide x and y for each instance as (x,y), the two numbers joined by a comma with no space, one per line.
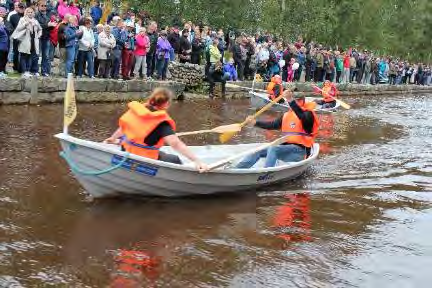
(72,34)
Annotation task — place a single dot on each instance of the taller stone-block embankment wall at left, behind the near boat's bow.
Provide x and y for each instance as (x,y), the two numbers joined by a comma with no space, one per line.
(52,90)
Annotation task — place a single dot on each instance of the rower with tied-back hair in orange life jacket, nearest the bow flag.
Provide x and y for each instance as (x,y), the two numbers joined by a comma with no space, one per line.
(146,127)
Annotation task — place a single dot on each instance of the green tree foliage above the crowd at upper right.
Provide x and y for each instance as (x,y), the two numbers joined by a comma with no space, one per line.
(396,27)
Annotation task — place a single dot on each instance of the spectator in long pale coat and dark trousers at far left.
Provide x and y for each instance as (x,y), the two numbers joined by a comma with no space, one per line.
(28,33)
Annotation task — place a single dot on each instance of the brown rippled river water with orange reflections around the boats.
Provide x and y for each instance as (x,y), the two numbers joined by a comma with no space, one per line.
(360,217)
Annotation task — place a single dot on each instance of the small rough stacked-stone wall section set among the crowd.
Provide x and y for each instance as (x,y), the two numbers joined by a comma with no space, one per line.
(189,74)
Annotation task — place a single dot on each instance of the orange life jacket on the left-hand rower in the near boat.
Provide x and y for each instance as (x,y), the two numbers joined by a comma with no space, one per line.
(139,122)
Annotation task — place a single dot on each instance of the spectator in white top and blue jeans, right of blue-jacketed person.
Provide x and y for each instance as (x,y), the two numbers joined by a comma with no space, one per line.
(85,49)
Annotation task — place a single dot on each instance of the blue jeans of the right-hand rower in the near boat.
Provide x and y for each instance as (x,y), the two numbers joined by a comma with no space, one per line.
(286,153)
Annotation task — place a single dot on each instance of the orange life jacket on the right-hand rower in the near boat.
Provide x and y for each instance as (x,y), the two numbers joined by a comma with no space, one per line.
(292,124)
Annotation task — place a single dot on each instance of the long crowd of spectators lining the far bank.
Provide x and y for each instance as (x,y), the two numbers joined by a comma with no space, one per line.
(133,46)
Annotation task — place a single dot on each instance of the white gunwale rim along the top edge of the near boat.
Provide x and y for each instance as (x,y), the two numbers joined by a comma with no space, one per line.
(96,146)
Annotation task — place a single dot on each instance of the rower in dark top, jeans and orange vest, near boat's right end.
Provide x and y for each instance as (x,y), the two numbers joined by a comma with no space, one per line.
(300,124)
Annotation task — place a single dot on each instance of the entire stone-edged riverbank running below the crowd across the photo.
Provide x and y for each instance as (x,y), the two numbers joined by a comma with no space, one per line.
(51,90)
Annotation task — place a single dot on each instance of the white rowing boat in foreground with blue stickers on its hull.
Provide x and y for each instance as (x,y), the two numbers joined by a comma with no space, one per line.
(105,171)
